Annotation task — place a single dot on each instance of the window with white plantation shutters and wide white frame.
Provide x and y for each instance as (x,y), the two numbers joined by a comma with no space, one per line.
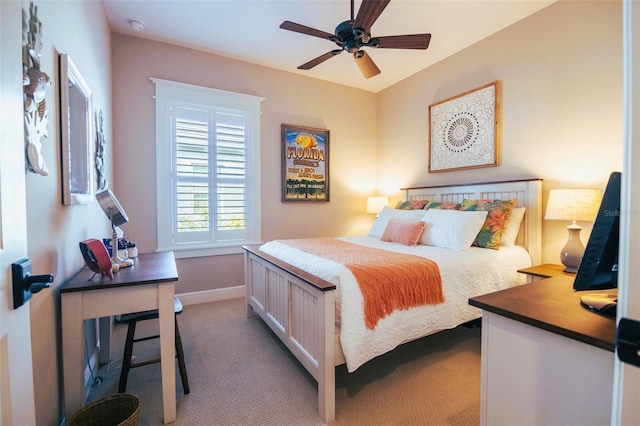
(207,169)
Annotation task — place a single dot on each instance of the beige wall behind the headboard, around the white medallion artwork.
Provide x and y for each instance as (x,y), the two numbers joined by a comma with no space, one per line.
(561,73)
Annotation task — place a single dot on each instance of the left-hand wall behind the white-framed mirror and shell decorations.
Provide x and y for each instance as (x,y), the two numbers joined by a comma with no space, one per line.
(80,30)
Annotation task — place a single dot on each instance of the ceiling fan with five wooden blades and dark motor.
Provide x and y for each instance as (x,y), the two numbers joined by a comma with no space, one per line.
(354,34)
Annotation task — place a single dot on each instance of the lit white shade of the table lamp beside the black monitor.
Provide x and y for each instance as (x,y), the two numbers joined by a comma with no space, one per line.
(573,204)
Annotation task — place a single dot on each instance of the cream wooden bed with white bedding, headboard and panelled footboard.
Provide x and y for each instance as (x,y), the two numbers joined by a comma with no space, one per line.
(306,300)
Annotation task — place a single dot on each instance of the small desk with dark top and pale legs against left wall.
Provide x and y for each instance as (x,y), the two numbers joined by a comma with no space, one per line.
(148,284)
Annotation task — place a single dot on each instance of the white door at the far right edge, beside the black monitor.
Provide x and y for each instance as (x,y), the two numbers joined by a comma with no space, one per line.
(626,381)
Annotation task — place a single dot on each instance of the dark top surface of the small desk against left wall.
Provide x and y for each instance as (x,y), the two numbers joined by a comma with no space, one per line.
(147,268)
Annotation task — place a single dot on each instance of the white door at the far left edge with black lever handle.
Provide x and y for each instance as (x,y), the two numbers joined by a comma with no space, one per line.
(16,375)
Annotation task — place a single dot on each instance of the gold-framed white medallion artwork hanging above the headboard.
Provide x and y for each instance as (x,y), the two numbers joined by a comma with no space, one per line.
(465,130)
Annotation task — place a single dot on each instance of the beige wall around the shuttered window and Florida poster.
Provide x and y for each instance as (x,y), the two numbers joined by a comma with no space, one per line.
(349,114)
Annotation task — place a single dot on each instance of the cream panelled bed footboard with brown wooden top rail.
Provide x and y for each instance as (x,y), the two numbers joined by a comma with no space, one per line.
(300,309)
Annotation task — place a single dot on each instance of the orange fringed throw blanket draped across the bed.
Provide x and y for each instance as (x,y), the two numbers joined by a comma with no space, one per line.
(387,280)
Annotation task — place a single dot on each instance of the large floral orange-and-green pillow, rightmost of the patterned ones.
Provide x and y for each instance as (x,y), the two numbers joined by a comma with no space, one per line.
(497,217)
